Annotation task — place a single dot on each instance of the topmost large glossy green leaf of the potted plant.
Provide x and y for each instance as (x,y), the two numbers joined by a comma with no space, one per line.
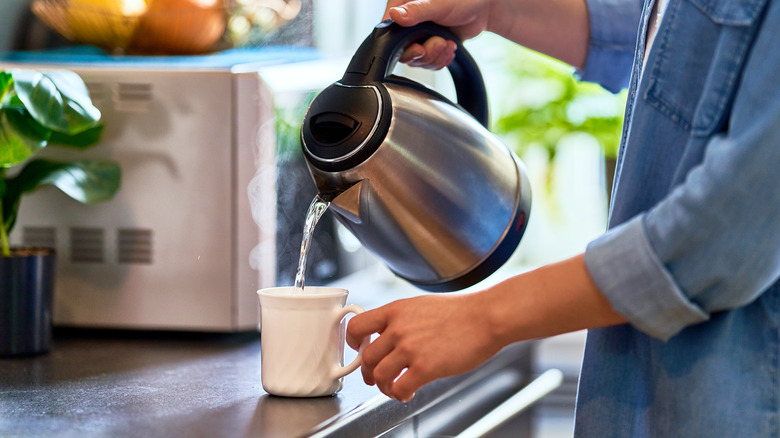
(57,99)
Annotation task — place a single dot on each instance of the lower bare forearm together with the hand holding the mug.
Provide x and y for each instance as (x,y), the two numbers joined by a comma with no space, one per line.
(437,335)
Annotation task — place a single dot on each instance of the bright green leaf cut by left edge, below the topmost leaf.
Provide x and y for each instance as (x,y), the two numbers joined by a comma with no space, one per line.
(20,136)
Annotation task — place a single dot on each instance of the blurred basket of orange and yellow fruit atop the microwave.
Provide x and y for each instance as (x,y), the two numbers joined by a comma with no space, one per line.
(164,27)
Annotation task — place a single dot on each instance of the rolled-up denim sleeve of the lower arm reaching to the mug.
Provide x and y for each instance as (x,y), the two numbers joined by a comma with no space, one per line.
(713,243)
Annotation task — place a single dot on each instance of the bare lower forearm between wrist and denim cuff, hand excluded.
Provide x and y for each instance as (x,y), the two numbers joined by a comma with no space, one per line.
(551,300)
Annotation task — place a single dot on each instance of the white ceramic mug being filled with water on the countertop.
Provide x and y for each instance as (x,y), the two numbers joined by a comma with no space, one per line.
(302,339)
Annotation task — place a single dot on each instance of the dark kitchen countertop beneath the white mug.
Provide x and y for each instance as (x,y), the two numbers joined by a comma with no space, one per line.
(161,384)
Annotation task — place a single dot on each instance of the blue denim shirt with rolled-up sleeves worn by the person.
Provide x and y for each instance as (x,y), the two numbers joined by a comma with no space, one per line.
(692,254)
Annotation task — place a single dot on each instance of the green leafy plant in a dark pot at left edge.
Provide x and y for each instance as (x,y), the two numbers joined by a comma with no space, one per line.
(37,109)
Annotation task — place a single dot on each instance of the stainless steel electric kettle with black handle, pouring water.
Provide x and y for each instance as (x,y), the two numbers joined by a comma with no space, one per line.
(418,179)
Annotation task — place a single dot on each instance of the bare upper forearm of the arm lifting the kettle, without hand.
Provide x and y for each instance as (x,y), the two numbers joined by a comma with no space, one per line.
(558,28)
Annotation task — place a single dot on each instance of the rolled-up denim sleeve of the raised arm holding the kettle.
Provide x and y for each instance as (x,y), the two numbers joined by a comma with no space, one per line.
(613,33)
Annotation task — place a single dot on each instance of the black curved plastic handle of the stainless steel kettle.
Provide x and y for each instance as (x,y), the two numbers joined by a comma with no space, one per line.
(377,56)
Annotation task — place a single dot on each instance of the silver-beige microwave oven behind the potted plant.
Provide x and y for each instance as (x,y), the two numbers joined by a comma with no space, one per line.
(195,138)
